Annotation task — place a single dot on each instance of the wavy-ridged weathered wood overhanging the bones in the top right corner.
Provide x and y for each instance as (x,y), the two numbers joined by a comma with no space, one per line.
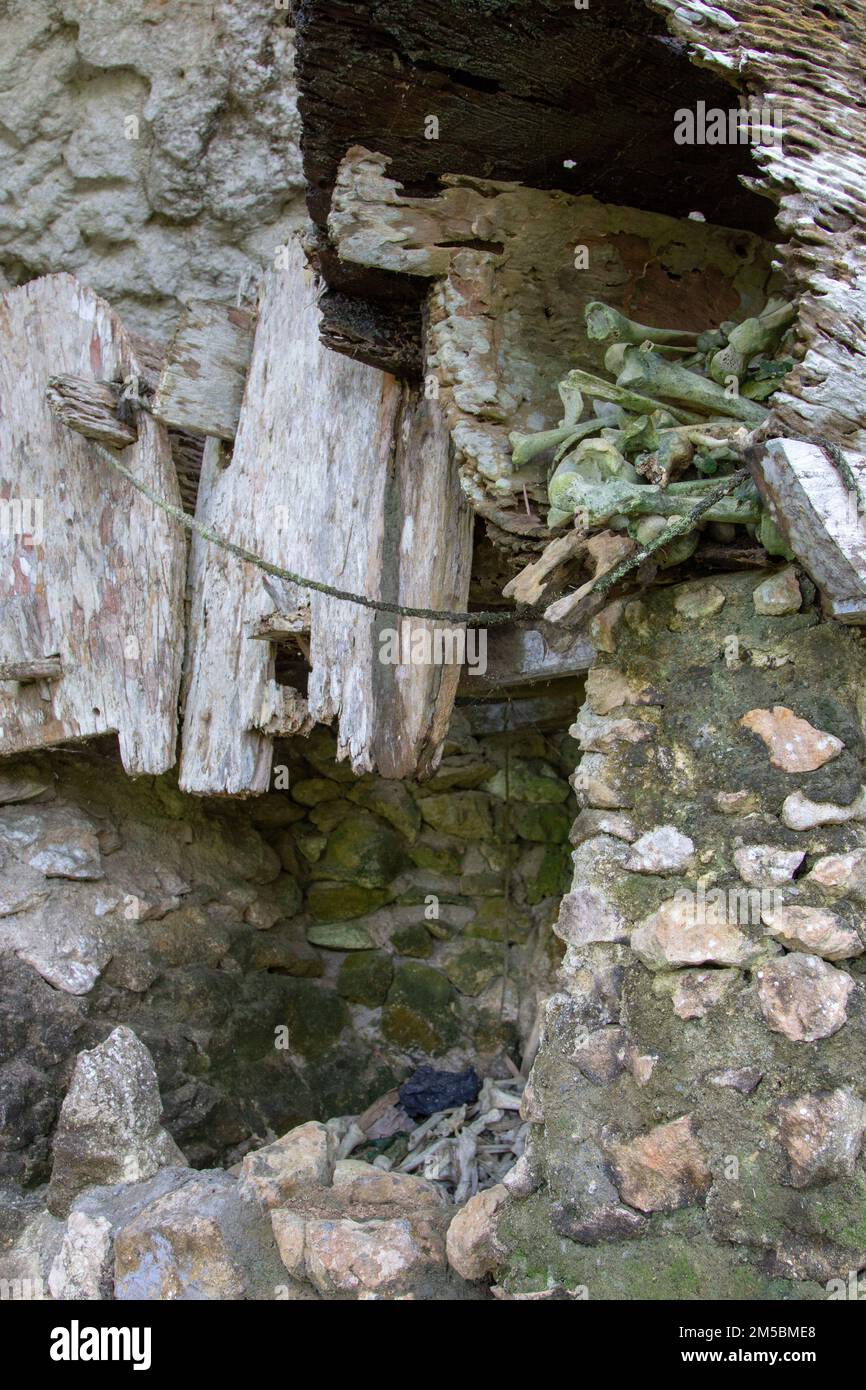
(808,63)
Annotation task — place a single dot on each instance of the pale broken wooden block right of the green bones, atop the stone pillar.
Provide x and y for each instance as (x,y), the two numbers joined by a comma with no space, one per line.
(821,521)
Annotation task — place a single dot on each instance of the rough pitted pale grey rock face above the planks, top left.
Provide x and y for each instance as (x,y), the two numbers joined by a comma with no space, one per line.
(148,147)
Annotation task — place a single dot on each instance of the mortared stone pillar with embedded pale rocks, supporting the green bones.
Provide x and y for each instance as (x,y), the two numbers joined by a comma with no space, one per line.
(698,1095)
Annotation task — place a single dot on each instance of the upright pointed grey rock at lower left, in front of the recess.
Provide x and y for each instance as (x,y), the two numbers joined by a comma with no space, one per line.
(109,1129)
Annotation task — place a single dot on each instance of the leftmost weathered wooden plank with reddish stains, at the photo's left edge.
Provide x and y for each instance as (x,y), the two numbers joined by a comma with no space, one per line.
(95,575)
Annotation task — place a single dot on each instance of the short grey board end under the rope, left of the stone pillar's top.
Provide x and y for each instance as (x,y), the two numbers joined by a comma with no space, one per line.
(525,655)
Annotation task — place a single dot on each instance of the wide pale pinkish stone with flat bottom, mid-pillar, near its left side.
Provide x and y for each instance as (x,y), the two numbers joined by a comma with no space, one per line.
(680,933)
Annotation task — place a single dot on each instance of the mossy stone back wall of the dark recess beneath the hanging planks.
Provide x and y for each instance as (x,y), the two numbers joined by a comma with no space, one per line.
(286,958)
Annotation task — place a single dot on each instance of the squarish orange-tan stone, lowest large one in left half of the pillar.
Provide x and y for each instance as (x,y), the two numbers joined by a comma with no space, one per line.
(664,1170)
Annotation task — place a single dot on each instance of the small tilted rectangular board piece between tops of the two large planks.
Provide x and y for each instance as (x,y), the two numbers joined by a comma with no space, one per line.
(205,370)
